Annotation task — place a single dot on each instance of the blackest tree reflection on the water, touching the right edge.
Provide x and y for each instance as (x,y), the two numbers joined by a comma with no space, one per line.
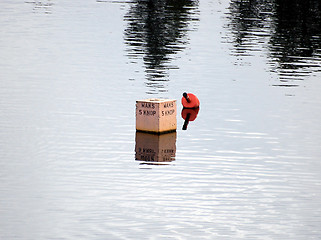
(296,43)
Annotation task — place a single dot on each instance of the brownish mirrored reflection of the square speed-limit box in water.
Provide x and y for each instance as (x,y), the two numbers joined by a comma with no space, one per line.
(155,148)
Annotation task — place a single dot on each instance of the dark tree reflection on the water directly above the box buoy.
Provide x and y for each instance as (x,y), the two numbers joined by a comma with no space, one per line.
(156,30)
